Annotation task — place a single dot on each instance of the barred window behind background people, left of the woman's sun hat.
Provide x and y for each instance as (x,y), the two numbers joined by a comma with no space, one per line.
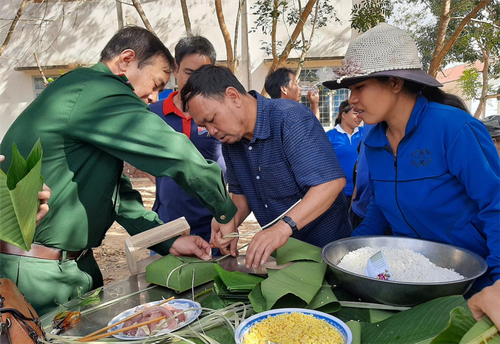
(329,100)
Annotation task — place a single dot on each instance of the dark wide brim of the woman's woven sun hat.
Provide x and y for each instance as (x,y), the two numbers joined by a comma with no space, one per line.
(414,75)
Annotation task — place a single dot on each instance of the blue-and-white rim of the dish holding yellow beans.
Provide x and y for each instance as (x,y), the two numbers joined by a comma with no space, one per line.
(336,323)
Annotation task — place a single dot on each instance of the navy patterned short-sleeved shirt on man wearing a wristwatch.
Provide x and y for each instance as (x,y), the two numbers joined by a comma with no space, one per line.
(288,154)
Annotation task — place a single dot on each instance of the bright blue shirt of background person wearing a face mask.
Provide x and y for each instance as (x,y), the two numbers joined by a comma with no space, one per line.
(347,153)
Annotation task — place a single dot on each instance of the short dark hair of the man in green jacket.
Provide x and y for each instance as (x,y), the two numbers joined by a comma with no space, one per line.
(143,42)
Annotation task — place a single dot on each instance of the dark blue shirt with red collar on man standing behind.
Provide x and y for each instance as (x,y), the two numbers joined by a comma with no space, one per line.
(171,201)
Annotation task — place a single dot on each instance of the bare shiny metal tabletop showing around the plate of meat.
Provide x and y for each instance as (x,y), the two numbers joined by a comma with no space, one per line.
(117,297)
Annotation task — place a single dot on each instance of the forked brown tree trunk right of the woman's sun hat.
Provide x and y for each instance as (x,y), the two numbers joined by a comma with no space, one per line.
(442,47)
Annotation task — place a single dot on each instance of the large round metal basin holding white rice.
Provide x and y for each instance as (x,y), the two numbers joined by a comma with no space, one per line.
(467,263)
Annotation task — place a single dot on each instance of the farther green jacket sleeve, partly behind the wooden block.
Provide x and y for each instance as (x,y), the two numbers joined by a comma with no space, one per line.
(132,215)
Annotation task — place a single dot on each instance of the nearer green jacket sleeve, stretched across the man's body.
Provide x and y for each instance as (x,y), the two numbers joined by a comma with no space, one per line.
(119,123)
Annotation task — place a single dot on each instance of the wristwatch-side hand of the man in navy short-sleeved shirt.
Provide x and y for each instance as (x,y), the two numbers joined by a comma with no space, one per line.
(265,242)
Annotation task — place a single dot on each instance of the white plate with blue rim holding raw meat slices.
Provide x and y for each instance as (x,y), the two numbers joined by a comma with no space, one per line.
(193,311)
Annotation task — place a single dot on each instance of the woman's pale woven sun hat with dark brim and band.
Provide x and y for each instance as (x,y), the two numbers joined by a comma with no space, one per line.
(382,51)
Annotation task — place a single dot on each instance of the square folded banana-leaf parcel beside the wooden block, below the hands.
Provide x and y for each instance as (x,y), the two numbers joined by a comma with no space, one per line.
(177,272)
